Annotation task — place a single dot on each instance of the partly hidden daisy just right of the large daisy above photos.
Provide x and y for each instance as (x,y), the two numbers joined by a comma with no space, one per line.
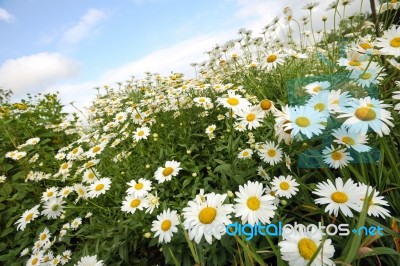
(375,205)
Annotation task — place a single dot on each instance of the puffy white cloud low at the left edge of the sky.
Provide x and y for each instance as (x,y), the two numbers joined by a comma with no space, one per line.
(28,73)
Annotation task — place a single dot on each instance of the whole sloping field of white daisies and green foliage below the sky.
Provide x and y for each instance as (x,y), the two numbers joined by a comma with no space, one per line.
(292,125)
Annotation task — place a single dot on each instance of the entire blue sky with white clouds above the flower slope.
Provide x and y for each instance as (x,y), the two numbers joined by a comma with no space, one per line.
(73,46)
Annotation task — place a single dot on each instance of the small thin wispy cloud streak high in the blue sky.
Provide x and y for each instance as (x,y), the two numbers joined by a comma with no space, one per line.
(86,25)
